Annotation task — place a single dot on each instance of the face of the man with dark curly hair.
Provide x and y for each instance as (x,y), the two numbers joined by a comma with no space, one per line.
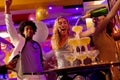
(28,32)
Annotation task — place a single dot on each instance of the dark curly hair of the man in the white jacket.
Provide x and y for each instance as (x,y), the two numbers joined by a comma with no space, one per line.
(26,23)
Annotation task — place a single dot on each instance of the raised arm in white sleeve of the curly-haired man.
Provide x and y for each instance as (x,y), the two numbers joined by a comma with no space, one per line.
(9,23)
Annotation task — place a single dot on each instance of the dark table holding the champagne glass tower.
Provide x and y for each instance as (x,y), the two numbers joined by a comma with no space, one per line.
(84,70)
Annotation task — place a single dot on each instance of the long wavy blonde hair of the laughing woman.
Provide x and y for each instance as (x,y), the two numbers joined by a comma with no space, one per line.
(56,37)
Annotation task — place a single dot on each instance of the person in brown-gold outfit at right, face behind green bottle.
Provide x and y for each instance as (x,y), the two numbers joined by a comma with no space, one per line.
(103,40)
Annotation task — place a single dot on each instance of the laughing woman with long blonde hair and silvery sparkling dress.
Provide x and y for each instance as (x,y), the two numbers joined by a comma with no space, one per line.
(59,40)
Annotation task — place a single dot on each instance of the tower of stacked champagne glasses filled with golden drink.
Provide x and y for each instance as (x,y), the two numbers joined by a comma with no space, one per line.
(79,42)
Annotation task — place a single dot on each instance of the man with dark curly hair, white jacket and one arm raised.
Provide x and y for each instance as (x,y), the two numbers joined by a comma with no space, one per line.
(29,64)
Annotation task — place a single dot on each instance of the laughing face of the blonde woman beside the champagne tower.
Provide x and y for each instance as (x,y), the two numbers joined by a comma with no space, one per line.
(63,26)
